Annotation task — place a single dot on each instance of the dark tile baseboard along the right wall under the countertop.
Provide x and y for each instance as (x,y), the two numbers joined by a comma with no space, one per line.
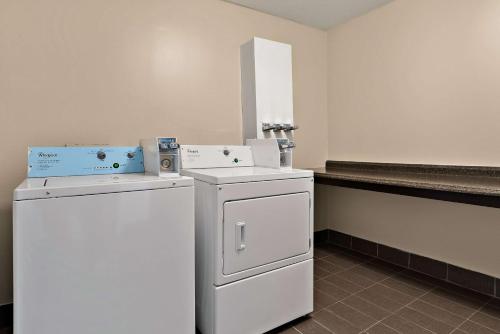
(443,271)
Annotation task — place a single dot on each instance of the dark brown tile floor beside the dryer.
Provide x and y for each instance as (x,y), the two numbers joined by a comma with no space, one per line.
(358,294)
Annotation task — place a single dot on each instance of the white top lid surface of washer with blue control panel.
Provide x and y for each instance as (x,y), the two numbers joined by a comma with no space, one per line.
(38,188)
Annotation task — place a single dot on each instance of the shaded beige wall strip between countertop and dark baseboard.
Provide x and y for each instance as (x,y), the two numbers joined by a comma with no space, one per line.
(464,235)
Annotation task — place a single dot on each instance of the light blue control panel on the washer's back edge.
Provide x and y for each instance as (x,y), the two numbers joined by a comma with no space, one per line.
(84,160)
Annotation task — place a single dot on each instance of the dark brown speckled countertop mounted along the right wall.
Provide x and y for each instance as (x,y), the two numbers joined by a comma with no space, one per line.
(482,181)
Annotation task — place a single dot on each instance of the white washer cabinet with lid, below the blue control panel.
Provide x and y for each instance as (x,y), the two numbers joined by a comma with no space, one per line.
(107,254)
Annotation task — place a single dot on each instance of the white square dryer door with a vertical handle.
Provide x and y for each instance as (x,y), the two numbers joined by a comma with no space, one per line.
(264,230)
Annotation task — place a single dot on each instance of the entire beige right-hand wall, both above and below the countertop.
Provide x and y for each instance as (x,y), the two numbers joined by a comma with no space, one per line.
(417,82)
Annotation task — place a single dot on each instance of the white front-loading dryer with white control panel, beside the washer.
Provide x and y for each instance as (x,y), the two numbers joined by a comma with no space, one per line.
(254,230)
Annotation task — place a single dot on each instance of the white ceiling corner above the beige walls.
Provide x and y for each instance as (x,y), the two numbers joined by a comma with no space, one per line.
(322,14)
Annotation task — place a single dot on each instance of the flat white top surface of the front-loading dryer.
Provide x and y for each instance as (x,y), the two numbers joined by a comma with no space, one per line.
(244,174)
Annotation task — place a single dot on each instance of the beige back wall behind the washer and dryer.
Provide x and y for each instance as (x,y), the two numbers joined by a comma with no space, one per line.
(92,71)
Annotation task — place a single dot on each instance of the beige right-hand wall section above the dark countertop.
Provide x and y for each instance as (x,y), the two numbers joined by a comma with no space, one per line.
(417,82)
